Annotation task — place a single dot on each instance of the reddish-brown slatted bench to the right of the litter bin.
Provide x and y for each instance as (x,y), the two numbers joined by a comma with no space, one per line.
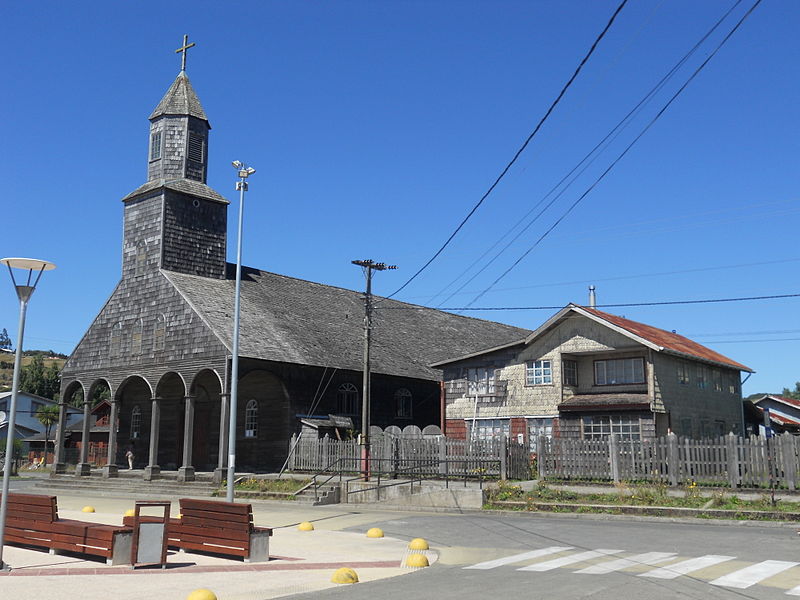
(222,528)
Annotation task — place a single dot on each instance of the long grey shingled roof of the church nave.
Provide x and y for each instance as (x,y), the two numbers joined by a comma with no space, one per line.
(296,321)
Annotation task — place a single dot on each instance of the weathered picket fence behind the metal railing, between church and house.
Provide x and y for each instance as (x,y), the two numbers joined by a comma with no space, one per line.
(423,456)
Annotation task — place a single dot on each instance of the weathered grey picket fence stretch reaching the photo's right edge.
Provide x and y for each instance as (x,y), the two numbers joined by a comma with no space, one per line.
(725,461)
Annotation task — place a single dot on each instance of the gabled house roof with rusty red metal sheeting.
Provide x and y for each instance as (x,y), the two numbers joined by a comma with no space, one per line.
(652,337)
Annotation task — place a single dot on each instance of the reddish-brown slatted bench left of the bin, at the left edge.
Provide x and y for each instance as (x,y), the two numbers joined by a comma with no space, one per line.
(32,520)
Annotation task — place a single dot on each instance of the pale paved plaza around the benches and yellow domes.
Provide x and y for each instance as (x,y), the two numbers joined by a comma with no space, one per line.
(299,561)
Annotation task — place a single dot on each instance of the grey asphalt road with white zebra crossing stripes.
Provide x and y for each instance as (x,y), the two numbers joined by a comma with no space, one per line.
(528,556)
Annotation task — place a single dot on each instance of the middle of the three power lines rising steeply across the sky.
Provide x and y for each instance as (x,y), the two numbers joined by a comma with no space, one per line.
(586,162)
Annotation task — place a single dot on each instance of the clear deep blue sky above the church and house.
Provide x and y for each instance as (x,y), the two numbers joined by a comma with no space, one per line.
(376,126)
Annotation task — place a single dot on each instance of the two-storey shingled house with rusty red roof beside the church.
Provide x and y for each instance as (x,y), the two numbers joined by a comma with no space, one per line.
(587,374)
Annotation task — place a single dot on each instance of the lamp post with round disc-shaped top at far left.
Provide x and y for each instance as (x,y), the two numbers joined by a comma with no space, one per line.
(35,269)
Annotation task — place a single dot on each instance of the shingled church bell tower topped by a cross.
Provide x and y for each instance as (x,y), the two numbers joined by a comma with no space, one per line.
(175,221)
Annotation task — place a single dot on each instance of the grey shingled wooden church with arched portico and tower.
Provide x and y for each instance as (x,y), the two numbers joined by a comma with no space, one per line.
(162,342)
